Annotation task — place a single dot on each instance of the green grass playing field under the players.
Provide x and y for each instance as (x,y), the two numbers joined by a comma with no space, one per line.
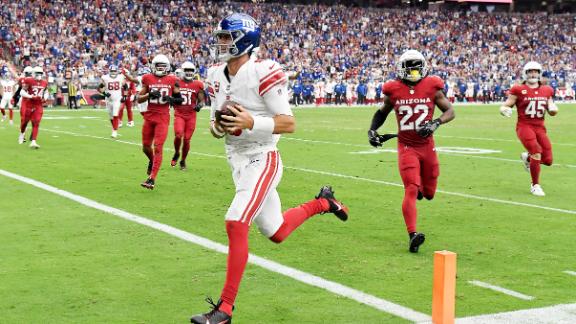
(63,262)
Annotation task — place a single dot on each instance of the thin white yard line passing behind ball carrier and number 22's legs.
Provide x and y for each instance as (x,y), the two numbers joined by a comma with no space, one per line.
(338,175)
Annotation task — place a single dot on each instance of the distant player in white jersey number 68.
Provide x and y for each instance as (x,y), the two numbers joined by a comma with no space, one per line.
(111,88)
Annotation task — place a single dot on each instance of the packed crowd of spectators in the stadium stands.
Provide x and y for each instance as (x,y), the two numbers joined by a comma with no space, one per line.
(316,43)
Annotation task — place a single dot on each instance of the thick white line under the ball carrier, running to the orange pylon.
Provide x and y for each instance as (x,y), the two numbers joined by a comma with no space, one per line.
(312,280)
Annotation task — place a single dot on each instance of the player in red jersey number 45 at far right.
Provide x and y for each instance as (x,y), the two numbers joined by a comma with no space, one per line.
(532,100)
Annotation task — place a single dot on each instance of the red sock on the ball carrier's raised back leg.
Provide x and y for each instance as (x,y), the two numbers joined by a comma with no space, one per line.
(294,217)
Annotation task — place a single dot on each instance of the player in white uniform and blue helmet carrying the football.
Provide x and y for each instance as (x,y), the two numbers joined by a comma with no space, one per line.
(262,113)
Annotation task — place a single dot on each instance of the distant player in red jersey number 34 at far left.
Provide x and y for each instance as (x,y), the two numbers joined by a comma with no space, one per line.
(34,95)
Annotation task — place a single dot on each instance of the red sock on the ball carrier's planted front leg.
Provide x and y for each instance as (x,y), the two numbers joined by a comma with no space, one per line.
(237,259)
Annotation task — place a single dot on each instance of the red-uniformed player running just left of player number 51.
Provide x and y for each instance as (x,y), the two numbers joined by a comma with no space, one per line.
(160,90)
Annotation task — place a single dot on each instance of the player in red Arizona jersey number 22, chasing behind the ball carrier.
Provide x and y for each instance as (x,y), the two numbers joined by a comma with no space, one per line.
(413,97)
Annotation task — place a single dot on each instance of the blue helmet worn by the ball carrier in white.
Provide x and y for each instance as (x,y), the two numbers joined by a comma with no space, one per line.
(244,32)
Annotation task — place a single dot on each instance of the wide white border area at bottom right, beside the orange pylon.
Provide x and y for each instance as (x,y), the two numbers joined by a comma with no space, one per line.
(557,314)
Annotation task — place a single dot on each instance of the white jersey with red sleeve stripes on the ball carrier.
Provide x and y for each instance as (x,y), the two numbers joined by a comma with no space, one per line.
(261,87)
